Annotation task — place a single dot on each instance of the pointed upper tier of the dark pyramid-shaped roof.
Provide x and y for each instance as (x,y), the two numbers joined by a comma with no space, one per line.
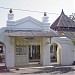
(63,21)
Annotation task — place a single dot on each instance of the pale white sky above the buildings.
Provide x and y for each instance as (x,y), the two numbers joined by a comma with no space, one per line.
(50,6)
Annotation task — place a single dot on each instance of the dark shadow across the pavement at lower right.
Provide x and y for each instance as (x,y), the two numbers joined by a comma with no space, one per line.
(54,70)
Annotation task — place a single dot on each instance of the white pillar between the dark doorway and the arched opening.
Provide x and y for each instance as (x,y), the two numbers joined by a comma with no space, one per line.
(46,51)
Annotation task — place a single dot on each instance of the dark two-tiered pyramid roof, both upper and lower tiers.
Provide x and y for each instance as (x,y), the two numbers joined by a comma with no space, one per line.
(63,24)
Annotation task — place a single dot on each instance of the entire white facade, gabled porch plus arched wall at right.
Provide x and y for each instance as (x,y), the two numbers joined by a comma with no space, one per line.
(29,40)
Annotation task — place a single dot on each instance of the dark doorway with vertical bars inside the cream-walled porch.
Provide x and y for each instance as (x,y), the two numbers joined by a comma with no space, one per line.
(34,53)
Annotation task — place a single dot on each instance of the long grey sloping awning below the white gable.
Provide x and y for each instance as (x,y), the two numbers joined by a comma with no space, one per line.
(30,33)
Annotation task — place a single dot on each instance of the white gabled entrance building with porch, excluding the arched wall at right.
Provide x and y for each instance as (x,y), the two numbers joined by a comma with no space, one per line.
(26,40)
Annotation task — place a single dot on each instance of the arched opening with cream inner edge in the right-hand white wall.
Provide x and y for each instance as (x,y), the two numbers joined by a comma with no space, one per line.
(55,52)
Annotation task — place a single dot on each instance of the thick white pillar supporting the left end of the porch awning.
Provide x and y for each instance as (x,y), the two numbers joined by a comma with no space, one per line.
(9,56)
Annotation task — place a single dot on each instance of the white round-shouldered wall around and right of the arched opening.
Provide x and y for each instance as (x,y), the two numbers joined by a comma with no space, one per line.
(67,53)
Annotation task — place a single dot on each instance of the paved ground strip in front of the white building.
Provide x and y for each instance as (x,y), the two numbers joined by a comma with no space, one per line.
(41,70)
